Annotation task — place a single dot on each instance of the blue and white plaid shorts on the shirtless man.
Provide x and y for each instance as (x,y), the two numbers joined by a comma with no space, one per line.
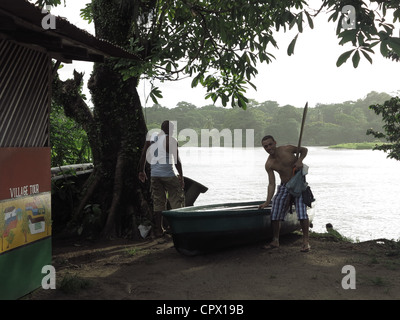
(280,208)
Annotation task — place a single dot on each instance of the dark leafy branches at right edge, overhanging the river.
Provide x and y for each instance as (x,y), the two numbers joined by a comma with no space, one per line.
(390,111)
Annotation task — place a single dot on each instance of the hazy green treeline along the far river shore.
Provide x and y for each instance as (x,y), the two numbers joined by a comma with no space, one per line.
(326,124)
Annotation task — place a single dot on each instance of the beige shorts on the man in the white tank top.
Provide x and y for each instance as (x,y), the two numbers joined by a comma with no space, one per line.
(160,186)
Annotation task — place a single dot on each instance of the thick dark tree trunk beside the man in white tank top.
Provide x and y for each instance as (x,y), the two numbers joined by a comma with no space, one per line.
(117,131)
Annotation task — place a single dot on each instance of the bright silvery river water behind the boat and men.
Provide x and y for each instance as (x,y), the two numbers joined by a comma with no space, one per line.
(357,191)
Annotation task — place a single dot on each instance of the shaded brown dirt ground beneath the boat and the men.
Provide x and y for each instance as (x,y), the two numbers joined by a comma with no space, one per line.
(149,270)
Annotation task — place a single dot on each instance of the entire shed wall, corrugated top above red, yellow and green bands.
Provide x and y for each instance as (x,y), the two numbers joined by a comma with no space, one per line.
(25,188)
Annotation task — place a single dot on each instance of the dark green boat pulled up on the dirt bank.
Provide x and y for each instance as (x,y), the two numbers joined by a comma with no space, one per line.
(200,229)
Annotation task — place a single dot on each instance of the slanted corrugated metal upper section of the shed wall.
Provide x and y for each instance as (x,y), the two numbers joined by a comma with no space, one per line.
(24,96)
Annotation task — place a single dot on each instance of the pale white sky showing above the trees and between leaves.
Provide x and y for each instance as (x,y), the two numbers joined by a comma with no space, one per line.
(310,75)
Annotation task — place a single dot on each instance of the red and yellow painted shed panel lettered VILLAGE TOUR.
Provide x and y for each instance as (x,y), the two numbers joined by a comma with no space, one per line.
(25,197)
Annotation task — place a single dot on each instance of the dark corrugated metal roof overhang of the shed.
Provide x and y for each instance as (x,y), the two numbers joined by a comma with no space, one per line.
(22,21)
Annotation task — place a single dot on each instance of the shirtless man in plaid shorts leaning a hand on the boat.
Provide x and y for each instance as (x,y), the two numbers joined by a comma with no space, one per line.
(283,159)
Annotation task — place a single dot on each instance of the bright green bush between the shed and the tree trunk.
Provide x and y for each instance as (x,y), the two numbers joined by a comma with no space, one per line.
(69,142)
